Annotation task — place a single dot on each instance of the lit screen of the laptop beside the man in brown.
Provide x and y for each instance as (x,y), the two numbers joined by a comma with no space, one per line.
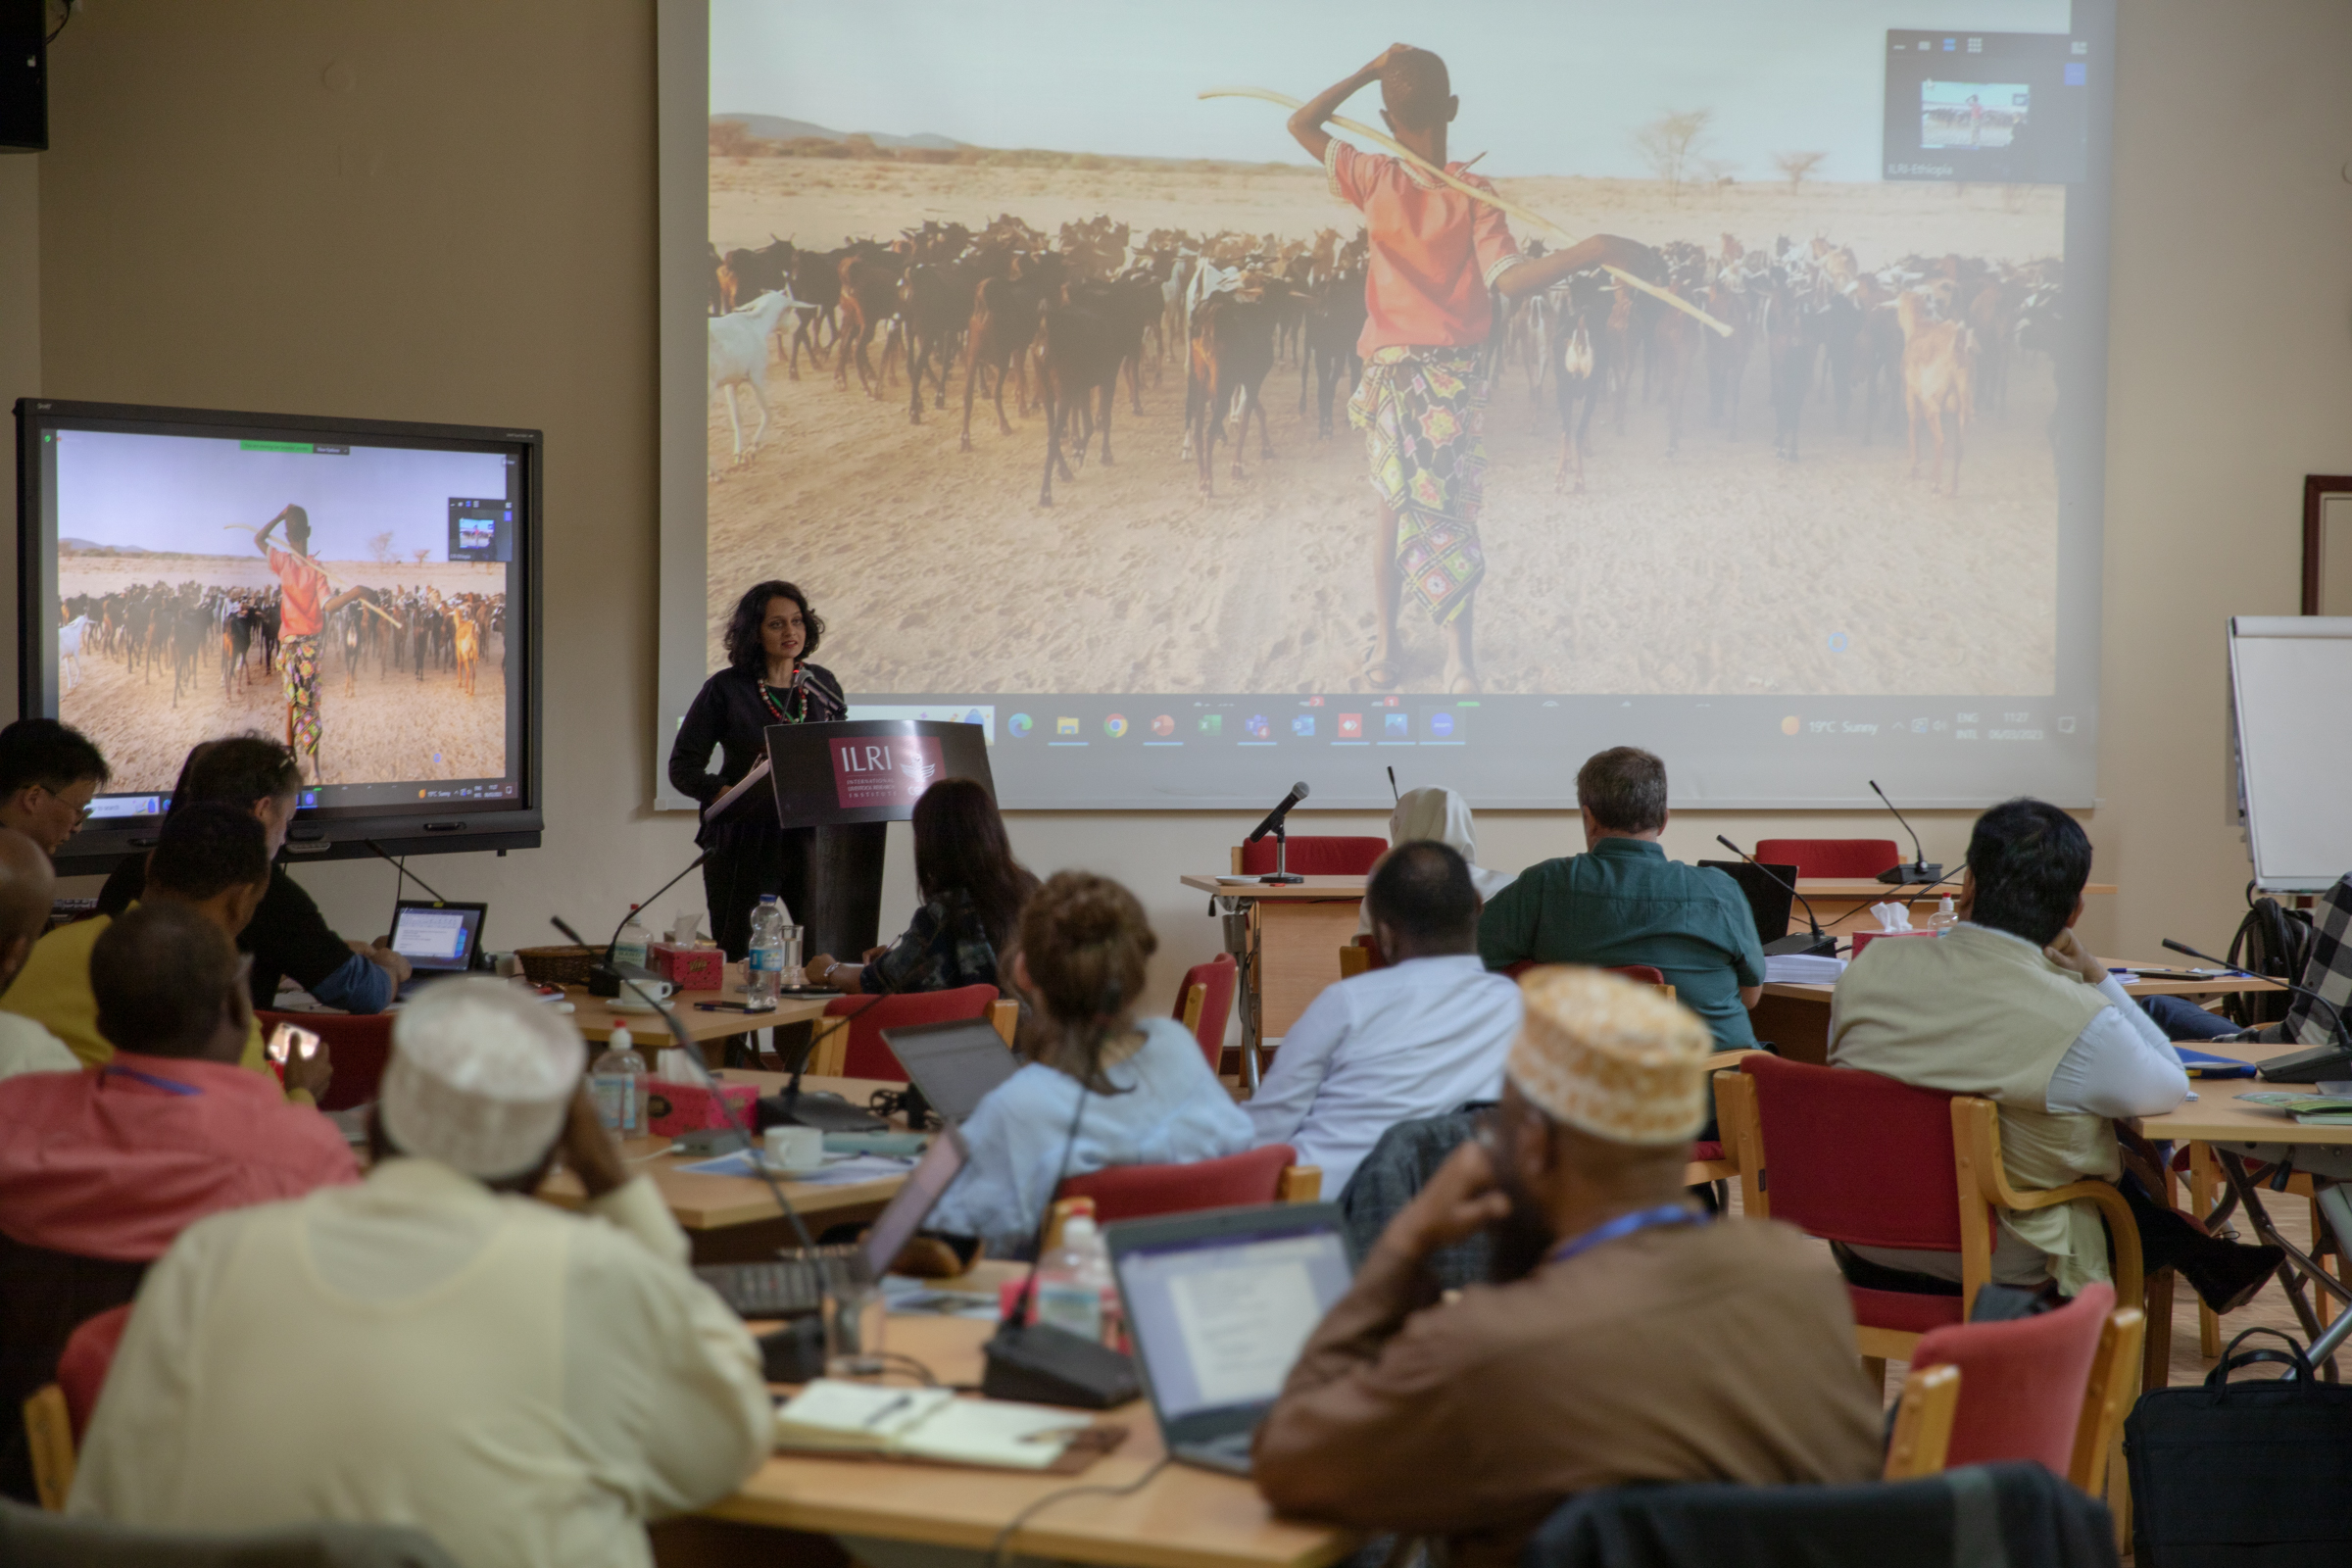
(1222,1320)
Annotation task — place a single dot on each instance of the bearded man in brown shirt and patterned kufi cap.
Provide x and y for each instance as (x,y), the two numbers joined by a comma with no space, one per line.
(1624,1339)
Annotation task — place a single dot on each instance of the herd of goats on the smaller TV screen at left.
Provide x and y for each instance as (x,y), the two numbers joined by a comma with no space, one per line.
(152,626)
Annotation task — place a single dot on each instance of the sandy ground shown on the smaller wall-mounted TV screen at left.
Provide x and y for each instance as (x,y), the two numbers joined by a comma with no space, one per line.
(394,728)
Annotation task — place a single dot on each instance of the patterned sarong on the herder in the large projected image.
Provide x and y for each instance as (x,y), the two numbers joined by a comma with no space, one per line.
(1424,415)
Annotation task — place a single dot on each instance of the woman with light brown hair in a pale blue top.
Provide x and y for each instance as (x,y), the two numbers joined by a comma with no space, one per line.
(1102,1087)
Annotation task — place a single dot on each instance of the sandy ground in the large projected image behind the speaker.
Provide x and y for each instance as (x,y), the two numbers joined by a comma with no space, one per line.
(1716,572)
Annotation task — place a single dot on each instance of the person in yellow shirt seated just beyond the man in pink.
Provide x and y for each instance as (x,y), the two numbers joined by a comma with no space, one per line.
(211,857)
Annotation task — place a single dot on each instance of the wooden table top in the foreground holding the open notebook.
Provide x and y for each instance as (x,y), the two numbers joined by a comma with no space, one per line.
(1184,1520)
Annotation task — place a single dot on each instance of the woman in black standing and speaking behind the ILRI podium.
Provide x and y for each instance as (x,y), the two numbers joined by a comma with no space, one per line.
(766,683)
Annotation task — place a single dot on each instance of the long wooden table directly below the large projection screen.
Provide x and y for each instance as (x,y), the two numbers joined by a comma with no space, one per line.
(1299,927)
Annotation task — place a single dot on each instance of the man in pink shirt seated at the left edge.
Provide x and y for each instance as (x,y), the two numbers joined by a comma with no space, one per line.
(100,1172)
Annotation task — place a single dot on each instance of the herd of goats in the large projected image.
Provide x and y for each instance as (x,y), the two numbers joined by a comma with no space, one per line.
(1067,319)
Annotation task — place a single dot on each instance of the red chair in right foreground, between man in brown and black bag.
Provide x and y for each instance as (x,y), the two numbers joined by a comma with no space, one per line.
(2040,1388)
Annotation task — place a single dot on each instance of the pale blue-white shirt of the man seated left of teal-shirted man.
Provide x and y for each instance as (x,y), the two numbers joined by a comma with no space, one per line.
(1384,1047)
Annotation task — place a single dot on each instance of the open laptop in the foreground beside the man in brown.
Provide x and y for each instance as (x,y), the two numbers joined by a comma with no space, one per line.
(1220,1308)
